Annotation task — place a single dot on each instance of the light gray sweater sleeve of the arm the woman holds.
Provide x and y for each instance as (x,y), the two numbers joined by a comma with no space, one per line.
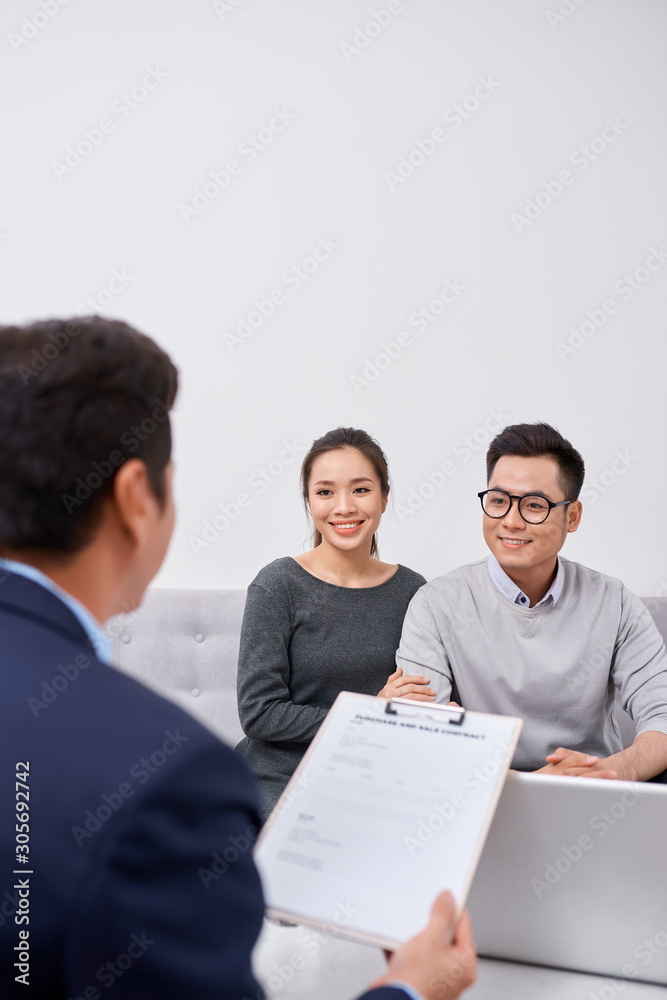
(422,649)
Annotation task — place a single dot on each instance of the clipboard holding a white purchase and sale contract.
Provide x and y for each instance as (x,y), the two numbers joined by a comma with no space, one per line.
(391,804)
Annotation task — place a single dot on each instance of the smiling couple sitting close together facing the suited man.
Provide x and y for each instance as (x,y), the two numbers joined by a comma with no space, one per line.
(523,632)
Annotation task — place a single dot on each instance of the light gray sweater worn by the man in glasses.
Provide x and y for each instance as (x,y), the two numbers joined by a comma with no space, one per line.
(556,667)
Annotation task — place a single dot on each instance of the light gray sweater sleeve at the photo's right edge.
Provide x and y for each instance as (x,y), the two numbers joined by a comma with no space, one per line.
(639,666)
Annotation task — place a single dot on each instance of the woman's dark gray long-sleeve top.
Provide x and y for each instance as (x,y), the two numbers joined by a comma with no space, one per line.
(303,641)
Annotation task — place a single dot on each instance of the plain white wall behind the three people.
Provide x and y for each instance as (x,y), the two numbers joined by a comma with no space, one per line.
(556,72)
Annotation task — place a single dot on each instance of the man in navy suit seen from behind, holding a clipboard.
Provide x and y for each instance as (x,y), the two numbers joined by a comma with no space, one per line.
(116,805)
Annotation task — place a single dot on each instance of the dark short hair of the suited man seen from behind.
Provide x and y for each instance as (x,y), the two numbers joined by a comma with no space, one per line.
(77,399)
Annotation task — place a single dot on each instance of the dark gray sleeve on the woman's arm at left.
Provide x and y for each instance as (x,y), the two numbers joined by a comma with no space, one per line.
(266,709)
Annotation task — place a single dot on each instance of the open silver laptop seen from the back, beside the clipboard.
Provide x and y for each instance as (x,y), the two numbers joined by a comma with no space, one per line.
(574,875)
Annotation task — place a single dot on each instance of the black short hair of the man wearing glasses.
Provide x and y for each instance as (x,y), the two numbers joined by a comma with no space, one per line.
(534,441)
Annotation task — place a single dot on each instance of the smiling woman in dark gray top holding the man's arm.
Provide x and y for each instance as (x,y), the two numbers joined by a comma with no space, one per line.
(326,621)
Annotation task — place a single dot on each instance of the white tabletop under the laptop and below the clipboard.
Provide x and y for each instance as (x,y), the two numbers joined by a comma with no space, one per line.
(295,963)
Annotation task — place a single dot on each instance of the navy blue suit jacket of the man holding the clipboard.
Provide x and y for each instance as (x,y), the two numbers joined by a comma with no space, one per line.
(140,874)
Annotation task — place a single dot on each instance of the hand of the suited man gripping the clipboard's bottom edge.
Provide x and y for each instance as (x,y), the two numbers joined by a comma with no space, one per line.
(436,969)
